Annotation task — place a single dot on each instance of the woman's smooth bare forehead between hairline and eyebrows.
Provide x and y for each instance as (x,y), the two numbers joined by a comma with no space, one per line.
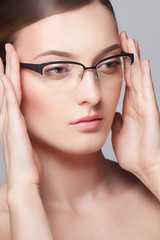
(86,30)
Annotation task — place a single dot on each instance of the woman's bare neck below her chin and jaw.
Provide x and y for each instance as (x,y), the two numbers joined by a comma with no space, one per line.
(68,179)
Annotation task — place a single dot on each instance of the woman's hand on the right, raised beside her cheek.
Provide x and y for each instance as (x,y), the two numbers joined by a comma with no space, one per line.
(136,134)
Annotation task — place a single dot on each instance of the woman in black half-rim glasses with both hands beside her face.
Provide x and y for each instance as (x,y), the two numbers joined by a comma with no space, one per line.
(56,113)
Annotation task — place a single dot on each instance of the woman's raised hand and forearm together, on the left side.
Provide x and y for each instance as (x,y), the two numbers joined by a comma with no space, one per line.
(28,219)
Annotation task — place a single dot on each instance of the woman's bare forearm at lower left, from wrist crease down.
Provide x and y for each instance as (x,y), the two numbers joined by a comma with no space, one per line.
(28,219)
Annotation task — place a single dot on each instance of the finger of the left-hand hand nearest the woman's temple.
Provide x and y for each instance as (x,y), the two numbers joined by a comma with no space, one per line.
(15,71)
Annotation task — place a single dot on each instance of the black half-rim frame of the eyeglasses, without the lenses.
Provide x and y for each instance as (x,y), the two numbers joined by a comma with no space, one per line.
(39,67)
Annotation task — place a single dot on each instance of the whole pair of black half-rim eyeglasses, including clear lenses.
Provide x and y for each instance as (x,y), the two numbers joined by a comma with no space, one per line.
(66,75)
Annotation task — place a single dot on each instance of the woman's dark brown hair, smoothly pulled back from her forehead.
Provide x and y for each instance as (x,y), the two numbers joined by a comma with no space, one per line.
(16,14)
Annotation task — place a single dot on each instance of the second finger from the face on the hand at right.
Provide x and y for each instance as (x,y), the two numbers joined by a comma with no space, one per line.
(135,68)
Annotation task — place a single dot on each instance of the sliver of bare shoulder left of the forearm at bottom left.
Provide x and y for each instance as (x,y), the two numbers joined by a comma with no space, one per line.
(4,215)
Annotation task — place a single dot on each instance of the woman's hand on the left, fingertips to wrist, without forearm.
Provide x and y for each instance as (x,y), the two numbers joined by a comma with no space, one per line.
(21,161)
